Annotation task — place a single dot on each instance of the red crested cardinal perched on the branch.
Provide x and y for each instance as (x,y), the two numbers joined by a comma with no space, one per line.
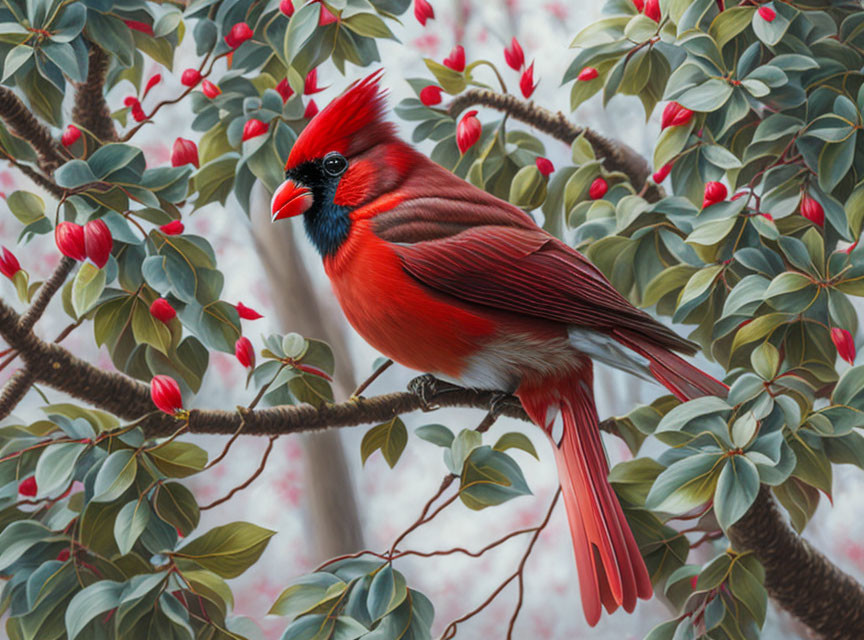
(445,278)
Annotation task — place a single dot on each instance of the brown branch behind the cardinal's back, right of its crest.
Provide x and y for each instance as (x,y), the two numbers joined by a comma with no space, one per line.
(616,155)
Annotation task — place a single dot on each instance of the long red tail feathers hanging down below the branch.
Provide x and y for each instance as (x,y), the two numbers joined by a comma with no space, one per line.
(610,568)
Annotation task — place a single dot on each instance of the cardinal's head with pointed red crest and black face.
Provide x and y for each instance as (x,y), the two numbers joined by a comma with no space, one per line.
(346,157)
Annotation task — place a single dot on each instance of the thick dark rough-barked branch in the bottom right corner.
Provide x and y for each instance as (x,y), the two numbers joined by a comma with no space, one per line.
(797,576)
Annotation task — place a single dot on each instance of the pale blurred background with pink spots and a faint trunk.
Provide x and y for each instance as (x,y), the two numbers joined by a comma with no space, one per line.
(314,491)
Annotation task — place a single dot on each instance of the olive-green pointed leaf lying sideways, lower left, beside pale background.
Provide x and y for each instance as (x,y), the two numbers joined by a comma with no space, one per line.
(228,550)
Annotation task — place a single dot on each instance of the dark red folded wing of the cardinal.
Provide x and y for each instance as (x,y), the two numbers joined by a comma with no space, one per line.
(527,271)
